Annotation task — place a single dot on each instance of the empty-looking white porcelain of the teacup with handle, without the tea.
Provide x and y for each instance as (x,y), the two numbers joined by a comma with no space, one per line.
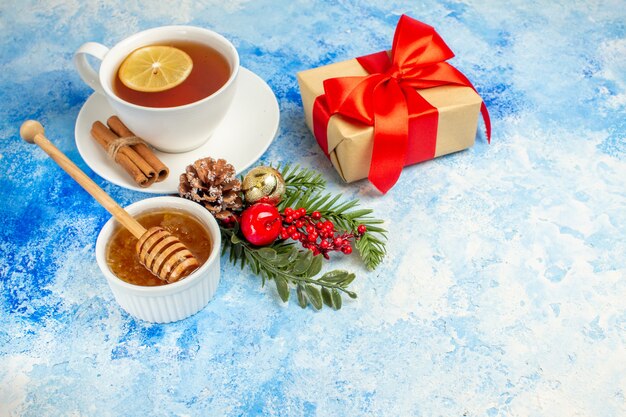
(170,129)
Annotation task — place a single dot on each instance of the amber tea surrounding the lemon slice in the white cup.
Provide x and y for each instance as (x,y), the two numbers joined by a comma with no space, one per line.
(209,73)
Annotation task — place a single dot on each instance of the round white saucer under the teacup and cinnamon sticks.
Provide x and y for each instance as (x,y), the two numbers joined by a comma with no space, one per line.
(243,136)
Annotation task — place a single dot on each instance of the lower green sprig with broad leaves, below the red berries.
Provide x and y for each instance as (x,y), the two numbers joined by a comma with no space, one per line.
(288,266)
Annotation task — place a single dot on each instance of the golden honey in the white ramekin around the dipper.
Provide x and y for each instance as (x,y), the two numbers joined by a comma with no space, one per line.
(121,255)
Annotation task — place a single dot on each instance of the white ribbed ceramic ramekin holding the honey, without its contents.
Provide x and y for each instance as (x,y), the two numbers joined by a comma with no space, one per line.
(171,302)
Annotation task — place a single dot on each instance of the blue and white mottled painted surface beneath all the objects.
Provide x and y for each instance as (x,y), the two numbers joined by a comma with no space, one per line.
(504,290)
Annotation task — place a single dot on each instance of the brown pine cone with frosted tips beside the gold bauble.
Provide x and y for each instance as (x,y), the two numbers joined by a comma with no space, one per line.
(214,185)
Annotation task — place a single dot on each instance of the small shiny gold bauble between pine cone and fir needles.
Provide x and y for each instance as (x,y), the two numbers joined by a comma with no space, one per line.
(263,184)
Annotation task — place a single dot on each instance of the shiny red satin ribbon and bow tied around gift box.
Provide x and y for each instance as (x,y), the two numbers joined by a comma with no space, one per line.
(387,98)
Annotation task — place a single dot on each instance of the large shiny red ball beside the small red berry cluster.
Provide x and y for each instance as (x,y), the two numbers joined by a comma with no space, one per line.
(261,224)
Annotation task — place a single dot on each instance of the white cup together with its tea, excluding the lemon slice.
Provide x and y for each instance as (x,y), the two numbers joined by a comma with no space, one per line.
(178,119)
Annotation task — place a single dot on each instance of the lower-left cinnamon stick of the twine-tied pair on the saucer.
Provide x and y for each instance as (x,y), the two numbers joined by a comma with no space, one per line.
(133,164)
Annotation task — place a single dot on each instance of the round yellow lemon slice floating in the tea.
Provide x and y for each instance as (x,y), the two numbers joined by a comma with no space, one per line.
(155,68)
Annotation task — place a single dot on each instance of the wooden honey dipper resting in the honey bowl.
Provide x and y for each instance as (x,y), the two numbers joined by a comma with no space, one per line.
(159,251)
